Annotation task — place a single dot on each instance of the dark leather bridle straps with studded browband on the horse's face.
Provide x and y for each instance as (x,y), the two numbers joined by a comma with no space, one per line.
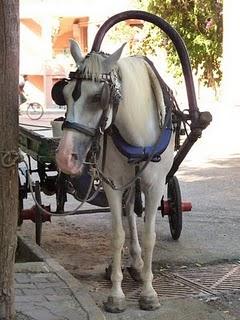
(110,96)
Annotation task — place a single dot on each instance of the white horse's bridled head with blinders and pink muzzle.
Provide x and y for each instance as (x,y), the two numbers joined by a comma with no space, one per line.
(90,93)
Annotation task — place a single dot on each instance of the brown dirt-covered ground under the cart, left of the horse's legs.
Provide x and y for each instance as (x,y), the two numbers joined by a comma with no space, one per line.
(81,244)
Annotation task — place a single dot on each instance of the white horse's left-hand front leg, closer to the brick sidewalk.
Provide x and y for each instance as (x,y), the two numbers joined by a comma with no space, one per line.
(116,300)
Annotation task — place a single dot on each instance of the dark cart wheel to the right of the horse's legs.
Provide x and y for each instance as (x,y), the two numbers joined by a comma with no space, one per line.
(175,217)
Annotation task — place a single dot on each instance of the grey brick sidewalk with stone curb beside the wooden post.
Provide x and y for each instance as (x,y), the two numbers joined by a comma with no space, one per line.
(46,291)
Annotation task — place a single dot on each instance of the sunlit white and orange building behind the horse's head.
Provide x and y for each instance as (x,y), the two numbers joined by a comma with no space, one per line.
(45,29)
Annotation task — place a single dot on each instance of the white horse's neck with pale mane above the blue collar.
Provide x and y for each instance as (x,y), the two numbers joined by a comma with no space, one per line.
(137,118)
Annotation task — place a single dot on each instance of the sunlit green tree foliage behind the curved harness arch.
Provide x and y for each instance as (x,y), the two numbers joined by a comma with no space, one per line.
(201,27)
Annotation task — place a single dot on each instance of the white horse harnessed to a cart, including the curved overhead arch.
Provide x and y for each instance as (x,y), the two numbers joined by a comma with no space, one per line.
(121,130)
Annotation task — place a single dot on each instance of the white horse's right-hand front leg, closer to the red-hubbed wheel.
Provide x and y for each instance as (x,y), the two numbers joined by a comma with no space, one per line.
(149,299)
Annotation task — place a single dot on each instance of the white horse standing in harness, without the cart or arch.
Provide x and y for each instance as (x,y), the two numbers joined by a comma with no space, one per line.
(100,83)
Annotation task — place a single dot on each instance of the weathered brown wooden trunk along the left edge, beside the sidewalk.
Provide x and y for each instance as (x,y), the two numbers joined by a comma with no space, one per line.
(9,77)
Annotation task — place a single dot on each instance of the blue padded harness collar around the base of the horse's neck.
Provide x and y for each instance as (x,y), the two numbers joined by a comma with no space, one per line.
(137,154)
